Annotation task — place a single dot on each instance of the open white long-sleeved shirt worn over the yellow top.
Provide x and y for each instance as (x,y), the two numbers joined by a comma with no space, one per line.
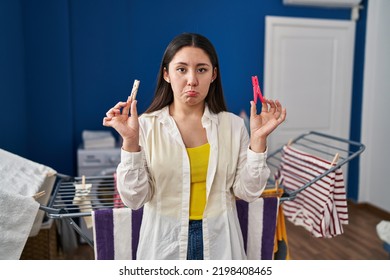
(158,177)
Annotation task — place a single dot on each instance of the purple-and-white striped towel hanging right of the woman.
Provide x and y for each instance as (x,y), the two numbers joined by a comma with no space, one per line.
(258,225)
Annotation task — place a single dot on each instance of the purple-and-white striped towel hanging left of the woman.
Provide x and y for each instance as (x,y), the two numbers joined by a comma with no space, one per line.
(116,233)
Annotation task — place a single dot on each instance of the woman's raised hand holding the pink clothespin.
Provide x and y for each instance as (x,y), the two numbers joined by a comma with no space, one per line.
(261,125)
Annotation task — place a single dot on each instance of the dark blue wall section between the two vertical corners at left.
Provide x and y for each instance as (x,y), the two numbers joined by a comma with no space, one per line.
(49,96)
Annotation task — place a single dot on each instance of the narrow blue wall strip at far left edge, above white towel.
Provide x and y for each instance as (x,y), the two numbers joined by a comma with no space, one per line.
(13,107)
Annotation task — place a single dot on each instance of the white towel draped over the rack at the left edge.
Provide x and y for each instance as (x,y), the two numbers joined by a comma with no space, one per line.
(20,179)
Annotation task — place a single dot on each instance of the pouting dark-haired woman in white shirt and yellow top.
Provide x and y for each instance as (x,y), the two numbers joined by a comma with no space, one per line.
(186,159)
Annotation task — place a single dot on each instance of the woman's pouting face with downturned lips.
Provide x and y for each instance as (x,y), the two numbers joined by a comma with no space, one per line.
(190,73)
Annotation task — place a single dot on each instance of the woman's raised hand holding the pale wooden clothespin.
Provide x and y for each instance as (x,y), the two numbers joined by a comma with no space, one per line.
(126,125)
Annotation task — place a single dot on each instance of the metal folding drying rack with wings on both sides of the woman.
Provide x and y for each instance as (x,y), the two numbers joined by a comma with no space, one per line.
(103,193)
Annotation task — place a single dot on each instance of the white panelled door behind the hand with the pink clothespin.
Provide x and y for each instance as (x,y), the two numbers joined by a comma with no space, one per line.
(308,67)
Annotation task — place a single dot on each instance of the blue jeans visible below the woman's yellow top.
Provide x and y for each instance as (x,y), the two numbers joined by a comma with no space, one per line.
(195,241)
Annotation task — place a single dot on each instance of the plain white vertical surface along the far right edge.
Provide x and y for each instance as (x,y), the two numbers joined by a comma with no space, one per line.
(374,166)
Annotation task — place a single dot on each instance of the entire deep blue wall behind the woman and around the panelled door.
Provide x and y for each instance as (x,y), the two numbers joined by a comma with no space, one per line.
(65,62)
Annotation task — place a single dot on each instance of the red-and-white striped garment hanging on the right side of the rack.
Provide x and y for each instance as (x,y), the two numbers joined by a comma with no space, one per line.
(322,207)
